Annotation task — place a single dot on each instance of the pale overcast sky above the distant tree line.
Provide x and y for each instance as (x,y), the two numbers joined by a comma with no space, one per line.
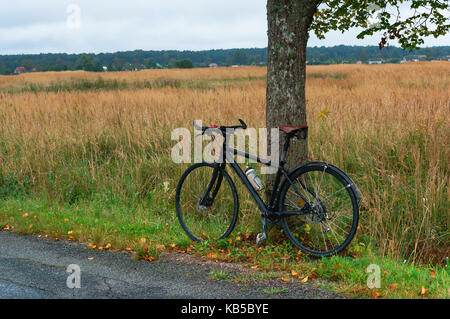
(41,26)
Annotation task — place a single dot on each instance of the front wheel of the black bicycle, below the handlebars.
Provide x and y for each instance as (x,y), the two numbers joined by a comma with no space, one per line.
(207,207)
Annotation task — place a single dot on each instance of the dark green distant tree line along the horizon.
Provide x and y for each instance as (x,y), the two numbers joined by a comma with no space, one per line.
(140,59)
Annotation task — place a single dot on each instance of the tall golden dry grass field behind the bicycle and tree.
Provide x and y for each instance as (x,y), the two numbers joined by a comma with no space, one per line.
(96,146)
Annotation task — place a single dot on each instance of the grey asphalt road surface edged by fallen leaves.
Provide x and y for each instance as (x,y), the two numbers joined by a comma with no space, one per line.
(32,267)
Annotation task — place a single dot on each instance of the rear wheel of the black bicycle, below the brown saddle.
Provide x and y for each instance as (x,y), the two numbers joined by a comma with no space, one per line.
(333,213)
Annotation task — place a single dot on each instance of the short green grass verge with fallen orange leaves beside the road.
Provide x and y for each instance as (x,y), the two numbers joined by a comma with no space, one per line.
(105,224)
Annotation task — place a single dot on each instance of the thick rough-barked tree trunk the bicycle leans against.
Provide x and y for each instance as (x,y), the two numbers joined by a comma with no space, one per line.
(288,30)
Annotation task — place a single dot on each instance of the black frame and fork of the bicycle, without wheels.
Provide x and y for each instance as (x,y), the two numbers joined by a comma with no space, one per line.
(267,210)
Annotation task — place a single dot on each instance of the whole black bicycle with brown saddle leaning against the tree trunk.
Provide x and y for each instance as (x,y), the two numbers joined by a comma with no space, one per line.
(316,203)
